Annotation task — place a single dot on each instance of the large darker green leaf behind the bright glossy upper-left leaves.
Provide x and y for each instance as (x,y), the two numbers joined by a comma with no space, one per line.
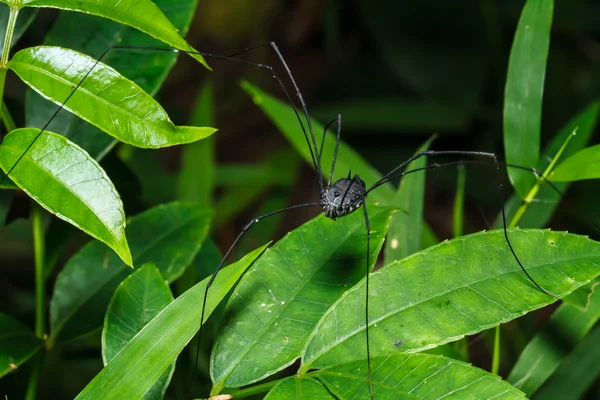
(92,35)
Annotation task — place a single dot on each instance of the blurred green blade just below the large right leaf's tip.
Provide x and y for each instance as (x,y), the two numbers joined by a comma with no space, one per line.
(551,346)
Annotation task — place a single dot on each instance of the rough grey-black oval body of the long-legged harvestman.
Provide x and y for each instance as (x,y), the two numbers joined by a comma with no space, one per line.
(343,197)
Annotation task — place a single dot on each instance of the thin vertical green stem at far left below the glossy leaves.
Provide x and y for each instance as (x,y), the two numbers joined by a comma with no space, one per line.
(40,294)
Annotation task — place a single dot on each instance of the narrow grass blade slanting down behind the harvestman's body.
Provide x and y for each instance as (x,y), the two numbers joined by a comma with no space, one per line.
(348,159)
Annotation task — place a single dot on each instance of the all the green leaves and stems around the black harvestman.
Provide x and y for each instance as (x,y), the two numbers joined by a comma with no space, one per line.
(294,326)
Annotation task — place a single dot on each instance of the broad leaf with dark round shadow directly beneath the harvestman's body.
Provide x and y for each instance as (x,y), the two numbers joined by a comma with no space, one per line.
(276,306)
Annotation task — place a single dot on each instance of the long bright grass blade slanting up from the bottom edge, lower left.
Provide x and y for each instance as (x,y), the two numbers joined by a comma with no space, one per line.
(135,368)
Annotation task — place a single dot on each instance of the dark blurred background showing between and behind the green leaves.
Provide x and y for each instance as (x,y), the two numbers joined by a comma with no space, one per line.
(397,71)
